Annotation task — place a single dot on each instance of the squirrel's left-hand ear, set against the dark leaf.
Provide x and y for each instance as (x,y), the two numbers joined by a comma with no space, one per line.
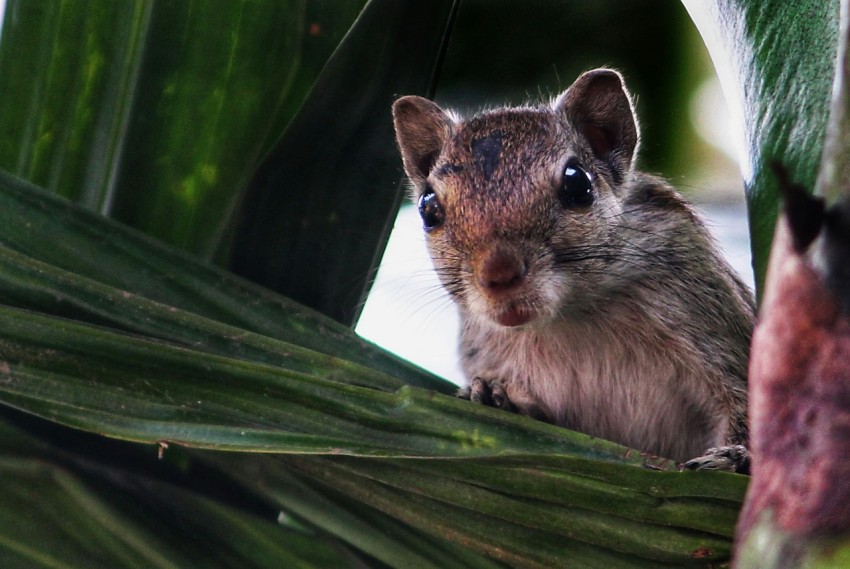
(421,129)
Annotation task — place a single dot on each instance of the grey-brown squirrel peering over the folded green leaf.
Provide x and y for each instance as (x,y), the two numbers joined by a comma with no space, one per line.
(590,294)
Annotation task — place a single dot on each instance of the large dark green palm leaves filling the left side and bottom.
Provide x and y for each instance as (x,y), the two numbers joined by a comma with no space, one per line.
(284,438)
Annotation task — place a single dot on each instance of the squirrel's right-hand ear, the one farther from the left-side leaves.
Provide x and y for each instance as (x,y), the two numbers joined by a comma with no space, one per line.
(601,110)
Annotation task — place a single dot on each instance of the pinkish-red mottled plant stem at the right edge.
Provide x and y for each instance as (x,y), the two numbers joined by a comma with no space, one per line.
(799,400)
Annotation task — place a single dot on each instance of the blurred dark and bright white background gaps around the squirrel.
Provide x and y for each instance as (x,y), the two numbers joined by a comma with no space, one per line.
(506,52)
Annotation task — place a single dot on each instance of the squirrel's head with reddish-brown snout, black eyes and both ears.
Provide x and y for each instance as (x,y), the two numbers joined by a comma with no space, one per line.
(512,196)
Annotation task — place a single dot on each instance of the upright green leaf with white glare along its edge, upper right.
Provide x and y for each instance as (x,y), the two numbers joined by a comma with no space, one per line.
(776,61)
